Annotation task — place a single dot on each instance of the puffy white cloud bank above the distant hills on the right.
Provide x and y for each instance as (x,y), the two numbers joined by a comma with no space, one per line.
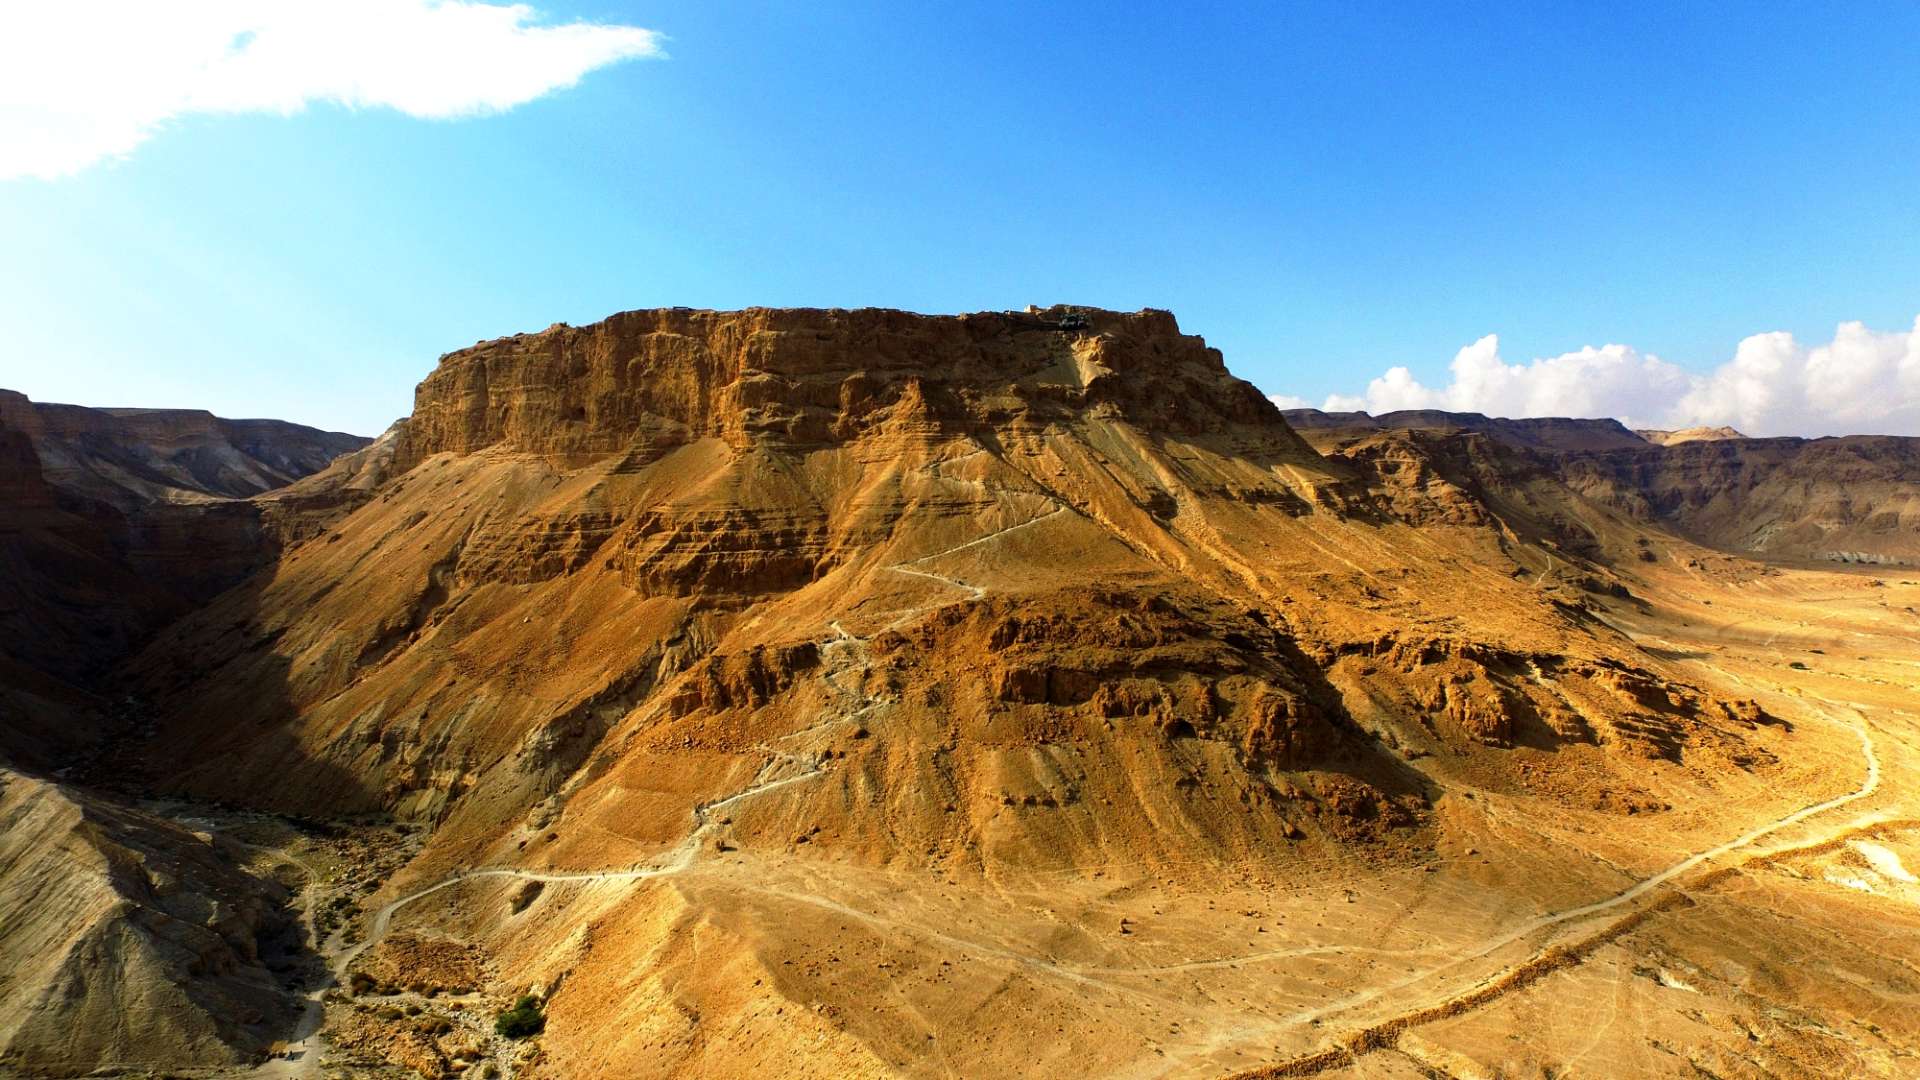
(1861,381)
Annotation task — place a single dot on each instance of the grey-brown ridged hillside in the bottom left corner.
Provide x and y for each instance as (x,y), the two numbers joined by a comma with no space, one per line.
(128,941)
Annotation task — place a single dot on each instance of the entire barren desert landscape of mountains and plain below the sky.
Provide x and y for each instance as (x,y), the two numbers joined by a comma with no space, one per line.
(880,695)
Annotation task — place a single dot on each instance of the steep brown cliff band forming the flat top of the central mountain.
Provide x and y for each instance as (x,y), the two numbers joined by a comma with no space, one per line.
(817,378)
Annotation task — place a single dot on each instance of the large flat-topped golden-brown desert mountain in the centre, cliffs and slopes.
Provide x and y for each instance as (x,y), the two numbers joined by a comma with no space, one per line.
(1007,533)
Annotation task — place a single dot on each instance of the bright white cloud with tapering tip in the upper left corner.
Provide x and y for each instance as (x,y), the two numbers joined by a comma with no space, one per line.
(93,80)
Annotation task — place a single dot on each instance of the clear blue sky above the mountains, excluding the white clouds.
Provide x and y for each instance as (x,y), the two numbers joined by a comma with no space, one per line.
(1322,195)
